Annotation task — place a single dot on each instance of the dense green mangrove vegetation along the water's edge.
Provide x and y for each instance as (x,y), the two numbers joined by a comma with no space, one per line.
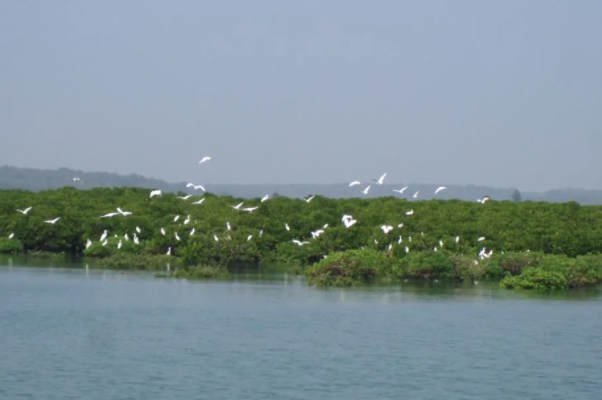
(529,245)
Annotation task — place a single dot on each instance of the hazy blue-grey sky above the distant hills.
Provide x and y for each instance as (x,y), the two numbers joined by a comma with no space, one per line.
(503,93)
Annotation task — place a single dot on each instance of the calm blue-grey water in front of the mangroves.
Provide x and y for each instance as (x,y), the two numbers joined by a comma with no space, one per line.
(89,334)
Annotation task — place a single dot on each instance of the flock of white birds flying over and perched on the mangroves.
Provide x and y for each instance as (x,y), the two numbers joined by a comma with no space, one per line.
(347,220)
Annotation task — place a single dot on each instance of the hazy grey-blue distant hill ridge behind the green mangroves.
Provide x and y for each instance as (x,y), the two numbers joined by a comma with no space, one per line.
(38,179)
